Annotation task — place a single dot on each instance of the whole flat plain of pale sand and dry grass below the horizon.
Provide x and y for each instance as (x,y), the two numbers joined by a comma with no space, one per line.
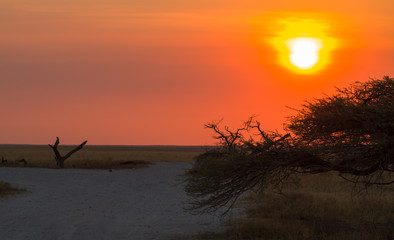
(135,192)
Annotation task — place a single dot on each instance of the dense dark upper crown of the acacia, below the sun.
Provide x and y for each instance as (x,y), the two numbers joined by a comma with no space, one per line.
(353,130)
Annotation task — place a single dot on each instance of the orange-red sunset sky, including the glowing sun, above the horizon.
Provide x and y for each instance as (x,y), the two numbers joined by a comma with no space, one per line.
(152,72)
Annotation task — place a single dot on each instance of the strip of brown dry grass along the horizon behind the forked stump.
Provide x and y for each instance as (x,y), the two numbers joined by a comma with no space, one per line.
(97,157)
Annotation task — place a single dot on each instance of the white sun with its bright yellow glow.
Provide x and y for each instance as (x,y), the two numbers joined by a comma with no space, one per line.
(303,45)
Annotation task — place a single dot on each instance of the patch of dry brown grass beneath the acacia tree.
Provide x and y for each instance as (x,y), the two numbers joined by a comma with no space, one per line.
(321,207)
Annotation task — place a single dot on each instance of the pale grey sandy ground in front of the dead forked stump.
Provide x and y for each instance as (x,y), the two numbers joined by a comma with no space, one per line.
(135,204)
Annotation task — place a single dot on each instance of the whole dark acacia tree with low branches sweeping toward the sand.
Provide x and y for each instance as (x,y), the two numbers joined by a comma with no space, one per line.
(351,133)
